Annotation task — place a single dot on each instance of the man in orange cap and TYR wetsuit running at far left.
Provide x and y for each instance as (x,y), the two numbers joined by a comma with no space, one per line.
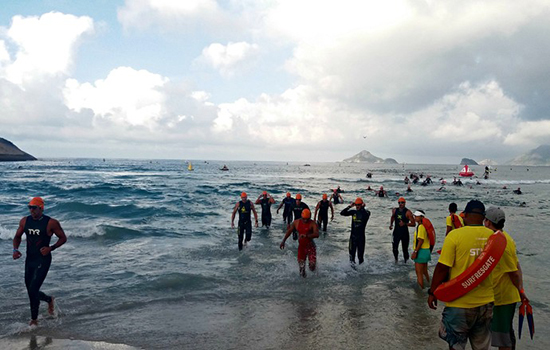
(39,230)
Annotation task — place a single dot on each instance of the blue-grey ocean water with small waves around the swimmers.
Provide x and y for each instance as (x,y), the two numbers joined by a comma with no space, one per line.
(152,262)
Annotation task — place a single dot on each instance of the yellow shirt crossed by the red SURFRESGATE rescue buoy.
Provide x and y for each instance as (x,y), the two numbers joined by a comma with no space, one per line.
(460,249)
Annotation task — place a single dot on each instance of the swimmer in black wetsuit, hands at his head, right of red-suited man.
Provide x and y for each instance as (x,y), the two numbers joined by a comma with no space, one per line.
(359,218)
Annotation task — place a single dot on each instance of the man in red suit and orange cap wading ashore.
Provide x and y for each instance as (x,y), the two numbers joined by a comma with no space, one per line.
(307,230)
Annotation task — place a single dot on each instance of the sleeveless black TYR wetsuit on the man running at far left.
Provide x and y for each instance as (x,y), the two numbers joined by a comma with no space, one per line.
(36,264)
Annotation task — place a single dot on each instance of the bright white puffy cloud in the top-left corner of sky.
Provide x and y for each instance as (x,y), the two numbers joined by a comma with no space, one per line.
(45,46)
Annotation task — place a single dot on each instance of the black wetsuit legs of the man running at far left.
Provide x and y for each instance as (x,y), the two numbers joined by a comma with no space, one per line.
(36,271)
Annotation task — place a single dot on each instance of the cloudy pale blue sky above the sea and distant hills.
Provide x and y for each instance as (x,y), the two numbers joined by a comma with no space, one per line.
(275,80)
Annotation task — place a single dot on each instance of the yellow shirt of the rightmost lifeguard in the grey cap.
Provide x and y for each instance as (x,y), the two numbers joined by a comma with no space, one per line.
(505,291)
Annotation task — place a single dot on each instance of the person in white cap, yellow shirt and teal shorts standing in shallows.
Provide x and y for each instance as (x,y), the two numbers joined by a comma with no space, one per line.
(421,254)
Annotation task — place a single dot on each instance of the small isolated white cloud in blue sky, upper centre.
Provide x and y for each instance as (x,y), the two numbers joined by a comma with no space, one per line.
(229,58)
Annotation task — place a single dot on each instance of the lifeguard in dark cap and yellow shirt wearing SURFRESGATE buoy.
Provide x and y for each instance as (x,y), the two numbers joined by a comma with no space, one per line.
(469,316)
